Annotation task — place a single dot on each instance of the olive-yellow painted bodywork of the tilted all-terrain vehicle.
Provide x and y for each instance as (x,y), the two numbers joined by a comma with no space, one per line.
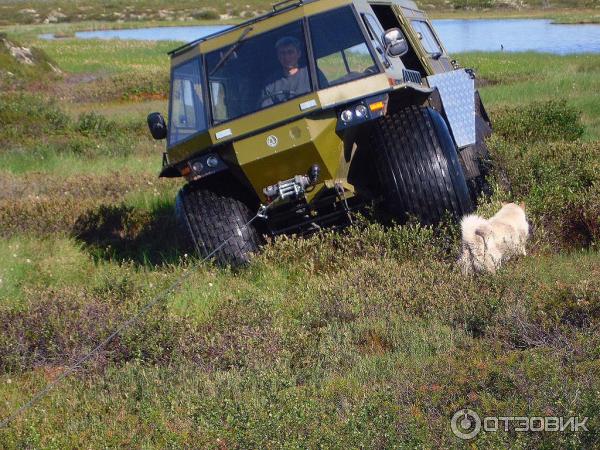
(299,136)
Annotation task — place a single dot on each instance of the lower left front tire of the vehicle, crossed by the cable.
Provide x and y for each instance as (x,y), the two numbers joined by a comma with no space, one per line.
(208,216)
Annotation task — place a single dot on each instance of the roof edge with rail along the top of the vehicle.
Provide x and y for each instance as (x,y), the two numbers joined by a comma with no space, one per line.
(284,7)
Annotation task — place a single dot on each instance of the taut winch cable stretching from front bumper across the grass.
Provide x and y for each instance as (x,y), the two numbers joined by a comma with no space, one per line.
(163,295)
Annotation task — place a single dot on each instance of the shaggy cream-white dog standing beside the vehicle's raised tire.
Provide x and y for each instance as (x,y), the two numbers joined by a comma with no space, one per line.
(488,243)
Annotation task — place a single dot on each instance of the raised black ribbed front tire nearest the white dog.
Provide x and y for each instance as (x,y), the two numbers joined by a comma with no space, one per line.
(418,166)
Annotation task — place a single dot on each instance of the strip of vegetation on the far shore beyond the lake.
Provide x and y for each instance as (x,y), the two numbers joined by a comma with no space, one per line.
(138,11)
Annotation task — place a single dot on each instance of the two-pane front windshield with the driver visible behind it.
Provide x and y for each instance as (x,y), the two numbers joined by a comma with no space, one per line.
(273,67)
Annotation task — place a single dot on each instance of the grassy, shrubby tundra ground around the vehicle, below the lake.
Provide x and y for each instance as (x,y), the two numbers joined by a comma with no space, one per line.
(369,337)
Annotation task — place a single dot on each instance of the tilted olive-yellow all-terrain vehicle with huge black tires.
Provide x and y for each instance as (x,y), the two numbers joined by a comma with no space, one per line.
(315,109)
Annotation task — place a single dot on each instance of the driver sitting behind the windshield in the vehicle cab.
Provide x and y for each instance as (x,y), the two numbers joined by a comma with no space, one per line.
(292,80)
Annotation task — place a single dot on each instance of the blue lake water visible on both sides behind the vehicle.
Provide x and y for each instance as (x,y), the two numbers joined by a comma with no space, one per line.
(513,35)
